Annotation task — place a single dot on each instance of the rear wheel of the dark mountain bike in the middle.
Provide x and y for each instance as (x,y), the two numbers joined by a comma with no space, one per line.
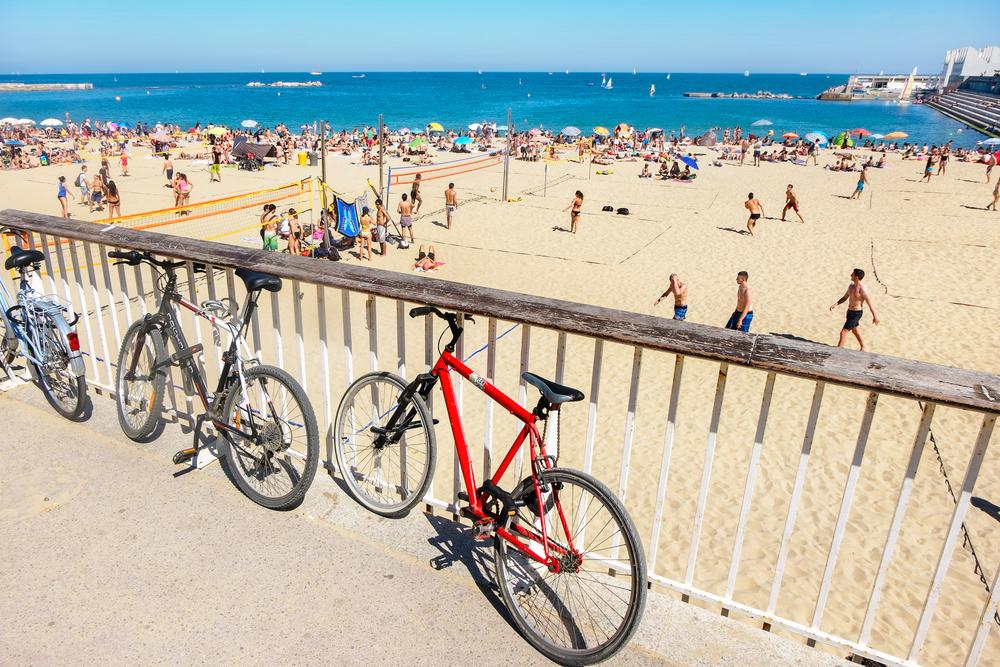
(272,457)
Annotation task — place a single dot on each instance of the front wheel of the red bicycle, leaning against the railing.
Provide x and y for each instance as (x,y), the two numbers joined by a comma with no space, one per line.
(385,447)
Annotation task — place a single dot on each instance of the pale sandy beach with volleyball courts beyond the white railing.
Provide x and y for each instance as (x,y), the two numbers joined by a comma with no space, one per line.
(931,253)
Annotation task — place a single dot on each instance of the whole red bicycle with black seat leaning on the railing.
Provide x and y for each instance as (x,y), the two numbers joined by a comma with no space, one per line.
(568,560)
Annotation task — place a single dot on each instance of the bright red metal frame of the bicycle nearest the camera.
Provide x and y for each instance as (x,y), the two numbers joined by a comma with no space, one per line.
(446,362)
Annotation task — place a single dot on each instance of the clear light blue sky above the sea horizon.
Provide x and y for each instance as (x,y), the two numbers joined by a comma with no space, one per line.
(59,36)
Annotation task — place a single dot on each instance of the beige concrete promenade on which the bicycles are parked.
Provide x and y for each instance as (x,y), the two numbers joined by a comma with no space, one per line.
(110,556)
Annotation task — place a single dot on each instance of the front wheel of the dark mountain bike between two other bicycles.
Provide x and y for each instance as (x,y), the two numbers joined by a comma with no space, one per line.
(141,423)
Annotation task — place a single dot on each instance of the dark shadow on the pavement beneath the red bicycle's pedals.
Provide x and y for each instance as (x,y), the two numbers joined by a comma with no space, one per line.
(456,545)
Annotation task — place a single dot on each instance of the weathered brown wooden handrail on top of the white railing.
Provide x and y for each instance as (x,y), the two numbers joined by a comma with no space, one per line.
(861,370)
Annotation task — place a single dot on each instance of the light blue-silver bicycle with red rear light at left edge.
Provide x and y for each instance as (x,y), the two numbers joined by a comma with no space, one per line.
(34,326)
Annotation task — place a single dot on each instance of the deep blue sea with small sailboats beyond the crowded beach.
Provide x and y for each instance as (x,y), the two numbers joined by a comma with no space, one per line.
(456,99)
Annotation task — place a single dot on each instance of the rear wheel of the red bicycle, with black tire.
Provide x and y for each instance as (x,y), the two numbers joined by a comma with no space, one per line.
(590,606)
